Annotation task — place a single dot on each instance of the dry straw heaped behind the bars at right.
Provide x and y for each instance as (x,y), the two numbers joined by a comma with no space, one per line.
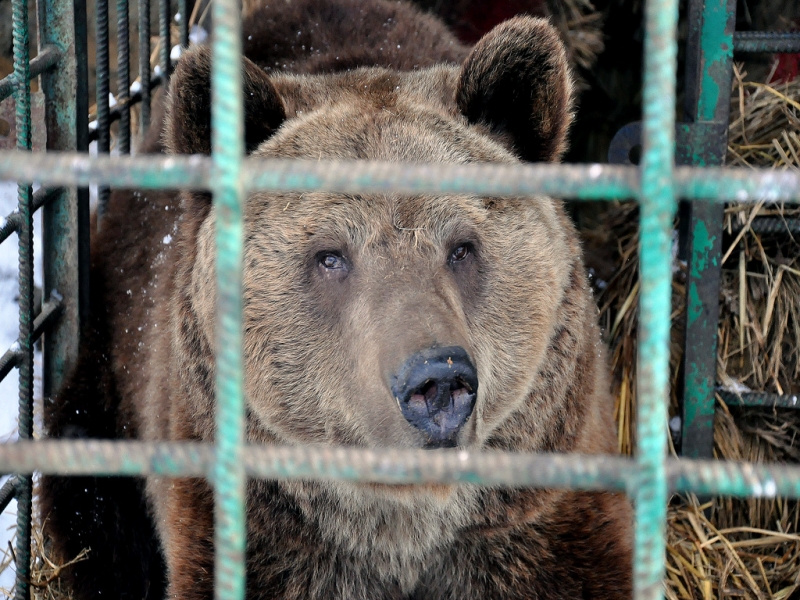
(726,547)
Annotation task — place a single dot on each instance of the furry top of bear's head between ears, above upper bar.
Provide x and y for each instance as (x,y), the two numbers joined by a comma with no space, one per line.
(375,114)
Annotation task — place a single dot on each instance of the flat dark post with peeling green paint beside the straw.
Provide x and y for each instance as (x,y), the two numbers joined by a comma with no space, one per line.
(708,84)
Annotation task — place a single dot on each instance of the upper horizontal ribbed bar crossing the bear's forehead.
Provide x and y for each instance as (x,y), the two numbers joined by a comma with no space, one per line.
(582,182)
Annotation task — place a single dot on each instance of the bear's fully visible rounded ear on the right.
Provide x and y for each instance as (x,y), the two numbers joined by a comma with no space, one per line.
(517,82)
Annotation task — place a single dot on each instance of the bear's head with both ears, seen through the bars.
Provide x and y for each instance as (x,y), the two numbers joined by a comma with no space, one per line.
(389,320)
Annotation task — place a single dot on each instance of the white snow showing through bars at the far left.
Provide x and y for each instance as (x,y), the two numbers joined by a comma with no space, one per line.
(9,330)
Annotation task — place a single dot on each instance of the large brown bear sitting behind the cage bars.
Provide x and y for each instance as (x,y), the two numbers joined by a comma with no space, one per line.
(372,321)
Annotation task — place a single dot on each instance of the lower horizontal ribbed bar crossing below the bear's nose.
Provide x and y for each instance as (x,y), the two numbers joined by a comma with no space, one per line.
(395,466)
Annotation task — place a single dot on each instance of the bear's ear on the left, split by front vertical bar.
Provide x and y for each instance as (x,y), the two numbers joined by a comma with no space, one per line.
(188,123)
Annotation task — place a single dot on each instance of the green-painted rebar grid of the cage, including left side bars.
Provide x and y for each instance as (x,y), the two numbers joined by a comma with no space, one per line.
(647,479)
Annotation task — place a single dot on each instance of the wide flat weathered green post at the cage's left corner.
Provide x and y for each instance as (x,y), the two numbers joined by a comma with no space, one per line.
(65,217)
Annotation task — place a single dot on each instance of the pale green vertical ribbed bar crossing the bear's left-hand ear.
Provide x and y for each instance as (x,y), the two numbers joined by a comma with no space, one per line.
(228,150)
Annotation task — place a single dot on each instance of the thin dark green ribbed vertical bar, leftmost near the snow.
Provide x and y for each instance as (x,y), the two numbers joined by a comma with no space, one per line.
(22,98)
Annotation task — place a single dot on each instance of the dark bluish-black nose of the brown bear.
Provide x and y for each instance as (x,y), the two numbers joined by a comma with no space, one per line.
(435,390)
